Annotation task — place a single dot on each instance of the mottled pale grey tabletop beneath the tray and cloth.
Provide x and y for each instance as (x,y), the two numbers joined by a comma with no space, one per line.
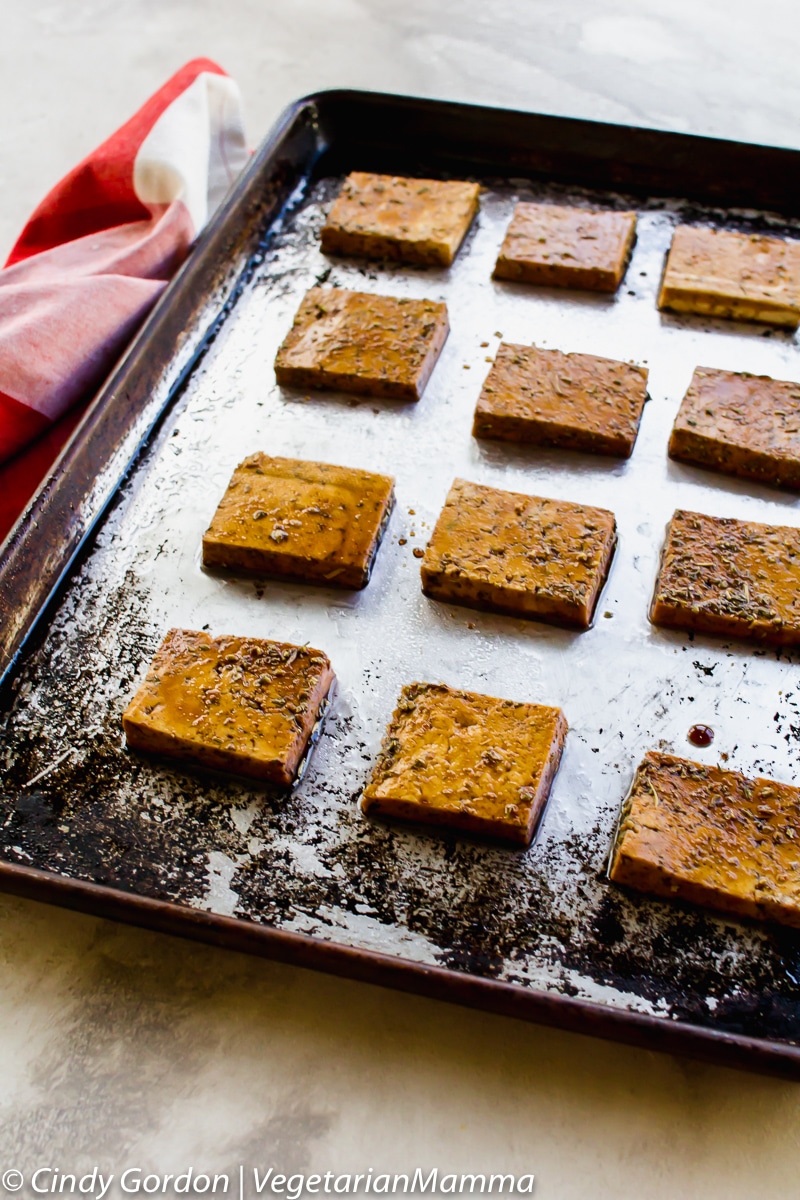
(128,1049)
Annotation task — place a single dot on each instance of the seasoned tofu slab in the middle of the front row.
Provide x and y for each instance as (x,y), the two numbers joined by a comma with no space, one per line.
(466,761)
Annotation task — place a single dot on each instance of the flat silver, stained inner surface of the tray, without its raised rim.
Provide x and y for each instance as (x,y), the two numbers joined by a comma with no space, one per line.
(74,801)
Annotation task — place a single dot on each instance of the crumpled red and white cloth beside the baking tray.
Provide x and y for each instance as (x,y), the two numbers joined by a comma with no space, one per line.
(98,254)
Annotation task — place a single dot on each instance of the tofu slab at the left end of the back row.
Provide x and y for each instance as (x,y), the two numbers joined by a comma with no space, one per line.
(410,220)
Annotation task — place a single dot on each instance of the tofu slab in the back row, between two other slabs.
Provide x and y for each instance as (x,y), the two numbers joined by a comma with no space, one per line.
(567,248)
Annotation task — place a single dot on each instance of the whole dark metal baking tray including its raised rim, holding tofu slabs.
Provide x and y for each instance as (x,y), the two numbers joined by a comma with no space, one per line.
(109,556)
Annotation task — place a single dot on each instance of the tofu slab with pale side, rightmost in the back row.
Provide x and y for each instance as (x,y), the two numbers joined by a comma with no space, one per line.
(738,275)
